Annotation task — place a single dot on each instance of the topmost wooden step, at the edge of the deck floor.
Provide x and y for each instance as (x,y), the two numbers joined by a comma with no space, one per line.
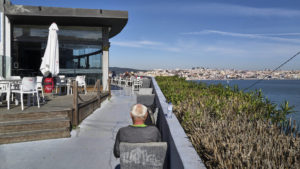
(4,117)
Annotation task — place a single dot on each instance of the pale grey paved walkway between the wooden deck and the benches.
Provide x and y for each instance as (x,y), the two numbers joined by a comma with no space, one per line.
(90,145)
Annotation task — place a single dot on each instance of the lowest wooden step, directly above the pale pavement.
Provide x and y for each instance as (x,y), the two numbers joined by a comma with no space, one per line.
(34,135)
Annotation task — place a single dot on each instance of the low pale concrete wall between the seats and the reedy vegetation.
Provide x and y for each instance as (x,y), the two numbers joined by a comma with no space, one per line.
(181,153)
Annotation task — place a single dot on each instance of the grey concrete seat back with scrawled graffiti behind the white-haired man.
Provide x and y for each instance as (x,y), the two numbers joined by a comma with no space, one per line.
(142,155)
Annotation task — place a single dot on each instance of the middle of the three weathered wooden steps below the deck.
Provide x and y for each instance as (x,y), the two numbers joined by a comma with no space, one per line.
(32,125)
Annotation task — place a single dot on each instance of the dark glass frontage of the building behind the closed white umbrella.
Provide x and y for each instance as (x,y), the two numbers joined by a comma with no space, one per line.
(80,50)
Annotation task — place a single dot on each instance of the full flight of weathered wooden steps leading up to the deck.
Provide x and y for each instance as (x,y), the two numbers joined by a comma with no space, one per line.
(21,127)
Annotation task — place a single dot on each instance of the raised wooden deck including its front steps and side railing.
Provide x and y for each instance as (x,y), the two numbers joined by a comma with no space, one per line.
(54,118)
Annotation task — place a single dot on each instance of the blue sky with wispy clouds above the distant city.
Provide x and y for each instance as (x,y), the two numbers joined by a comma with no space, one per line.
(231,34)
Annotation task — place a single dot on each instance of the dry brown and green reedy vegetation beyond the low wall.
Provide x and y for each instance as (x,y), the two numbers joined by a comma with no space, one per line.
(233,129)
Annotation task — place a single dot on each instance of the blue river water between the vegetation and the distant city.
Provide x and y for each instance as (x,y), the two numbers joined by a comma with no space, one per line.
(275,90)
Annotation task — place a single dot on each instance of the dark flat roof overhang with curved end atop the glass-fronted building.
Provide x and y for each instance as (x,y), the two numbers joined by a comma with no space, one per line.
(39,15)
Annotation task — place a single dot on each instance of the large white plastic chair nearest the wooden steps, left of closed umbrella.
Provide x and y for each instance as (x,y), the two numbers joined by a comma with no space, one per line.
(28,86)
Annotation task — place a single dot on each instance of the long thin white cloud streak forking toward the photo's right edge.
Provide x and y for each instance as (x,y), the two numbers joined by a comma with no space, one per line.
(271,37)
